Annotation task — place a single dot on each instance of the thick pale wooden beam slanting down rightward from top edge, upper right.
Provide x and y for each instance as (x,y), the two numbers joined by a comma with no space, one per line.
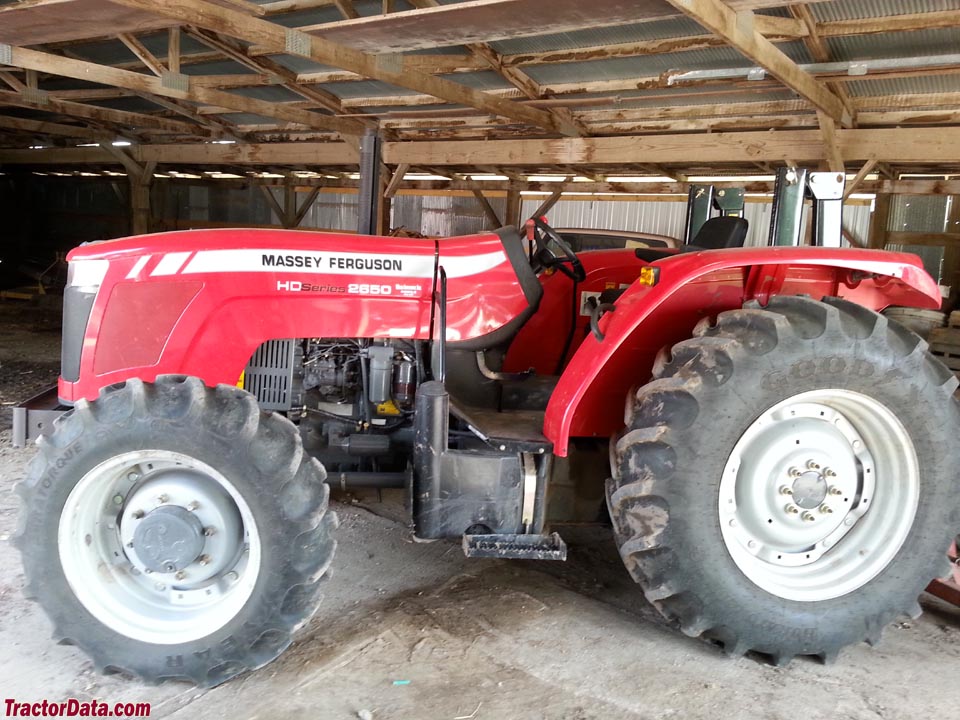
(739,30)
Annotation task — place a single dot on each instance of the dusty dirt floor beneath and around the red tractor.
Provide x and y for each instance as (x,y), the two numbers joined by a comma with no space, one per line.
(415,630)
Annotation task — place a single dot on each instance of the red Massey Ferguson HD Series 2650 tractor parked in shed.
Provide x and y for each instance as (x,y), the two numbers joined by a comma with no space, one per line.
(777,458)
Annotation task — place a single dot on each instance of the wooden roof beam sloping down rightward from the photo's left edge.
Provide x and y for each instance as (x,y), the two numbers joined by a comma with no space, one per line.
(92,72)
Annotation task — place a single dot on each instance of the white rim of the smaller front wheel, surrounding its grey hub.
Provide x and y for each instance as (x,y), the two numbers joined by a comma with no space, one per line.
(102,567)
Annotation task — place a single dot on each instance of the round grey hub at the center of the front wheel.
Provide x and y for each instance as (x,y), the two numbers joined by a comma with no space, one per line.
(168,539)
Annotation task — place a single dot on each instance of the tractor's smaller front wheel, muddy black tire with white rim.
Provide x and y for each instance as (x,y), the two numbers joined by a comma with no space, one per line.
(174,531)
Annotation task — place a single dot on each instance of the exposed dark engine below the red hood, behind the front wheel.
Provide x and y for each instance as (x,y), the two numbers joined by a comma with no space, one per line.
(352,398)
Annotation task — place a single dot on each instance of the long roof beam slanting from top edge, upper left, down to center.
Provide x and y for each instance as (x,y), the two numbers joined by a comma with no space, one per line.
(387,69)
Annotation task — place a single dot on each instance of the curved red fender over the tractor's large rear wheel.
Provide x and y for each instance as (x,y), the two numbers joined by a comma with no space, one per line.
(589,399)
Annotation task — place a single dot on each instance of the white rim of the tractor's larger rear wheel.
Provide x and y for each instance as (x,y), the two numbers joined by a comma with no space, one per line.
(819,495)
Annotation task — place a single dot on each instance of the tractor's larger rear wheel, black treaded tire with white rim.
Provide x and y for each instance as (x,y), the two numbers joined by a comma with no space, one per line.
(785,484)
